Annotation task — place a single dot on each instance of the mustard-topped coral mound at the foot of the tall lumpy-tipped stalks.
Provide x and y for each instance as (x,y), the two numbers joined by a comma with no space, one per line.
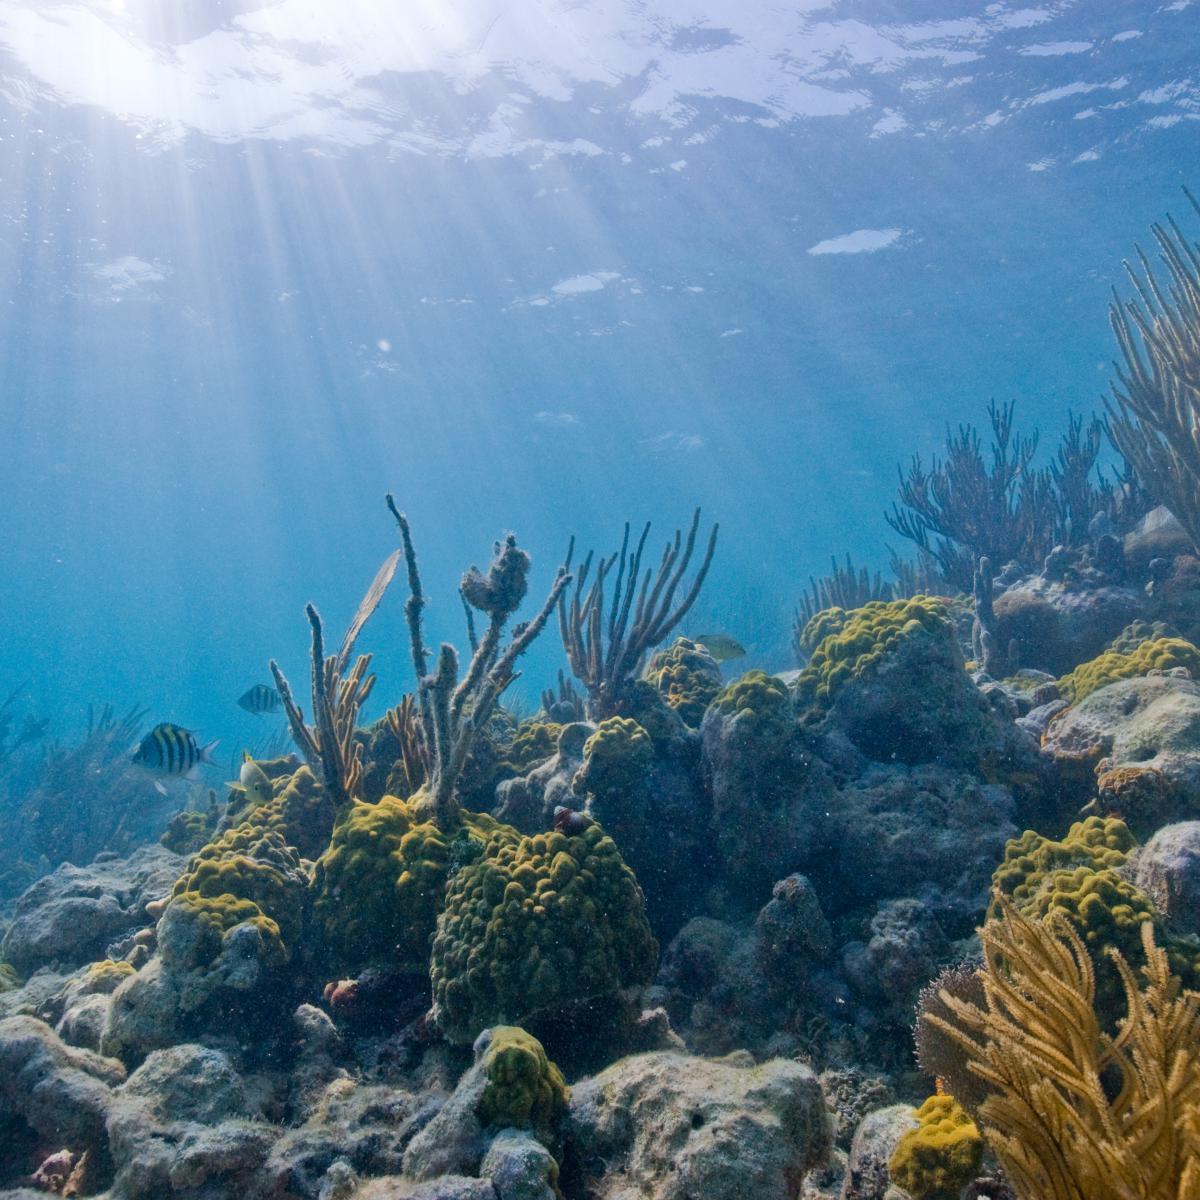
(381,884)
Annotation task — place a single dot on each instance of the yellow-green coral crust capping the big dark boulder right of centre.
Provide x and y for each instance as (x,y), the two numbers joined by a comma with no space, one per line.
(855,644)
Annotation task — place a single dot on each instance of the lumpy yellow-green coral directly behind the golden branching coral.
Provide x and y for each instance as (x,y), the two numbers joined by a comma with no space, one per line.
(1081,875)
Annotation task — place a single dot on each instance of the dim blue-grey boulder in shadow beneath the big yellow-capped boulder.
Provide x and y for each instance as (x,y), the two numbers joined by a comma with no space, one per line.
(916,831)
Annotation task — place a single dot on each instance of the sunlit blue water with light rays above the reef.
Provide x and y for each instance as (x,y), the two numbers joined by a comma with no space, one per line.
(539,267)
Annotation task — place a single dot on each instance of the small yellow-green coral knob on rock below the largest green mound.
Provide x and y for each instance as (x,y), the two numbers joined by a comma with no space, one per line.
(524,1089)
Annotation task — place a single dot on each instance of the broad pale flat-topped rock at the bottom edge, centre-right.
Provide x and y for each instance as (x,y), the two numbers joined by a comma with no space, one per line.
(667,1126)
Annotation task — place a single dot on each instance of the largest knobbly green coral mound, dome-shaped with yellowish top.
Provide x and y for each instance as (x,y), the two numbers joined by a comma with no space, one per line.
(536,923)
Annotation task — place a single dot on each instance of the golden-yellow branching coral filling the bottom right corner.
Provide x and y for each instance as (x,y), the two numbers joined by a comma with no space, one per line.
(1075,1113)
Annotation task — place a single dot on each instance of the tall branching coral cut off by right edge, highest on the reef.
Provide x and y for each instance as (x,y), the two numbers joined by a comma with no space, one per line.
(1155,409)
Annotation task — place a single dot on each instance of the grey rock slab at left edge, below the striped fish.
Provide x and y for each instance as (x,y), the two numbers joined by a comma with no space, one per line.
(70,916)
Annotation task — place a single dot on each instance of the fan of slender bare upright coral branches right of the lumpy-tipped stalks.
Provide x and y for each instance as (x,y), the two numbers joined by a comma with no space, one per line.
(608,638)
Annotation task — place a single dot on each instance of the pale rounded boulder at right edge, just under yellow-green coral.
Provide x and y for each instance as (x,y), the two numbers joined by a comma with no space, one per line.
(1150,727)
